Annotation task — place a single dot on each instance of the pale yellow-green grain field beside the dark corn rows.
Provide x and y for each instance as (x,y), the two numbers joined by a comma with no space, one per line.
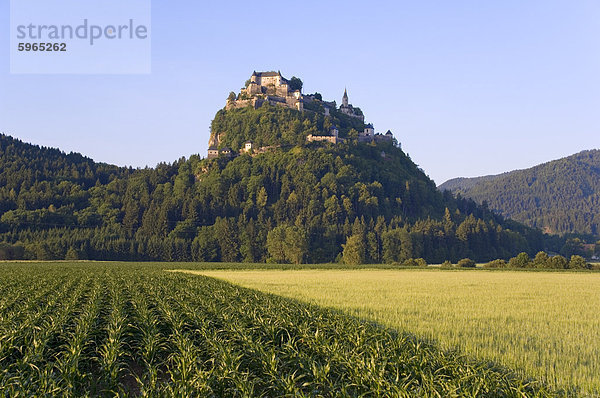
(546,324)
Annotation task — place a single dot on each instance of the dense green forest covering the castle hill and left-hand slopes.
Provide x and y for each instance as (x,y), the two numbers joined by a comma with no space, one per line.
(301,202)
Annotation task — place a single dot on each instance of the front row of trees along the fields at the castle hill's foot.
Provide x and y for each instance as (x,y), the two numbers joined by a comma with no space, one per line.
(249,240)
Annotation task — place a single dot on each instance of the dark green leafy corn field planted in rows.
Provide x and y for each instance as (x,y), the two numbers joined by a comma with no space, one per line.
(109,329)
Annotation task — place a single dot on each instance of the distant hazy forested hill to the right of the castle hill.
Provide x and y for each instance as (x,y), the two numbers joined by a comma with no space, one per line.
(561,196)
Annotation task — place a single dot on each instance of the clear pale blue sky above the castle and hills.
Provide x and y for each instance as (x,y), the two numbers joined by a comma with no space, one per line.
(468,87)
